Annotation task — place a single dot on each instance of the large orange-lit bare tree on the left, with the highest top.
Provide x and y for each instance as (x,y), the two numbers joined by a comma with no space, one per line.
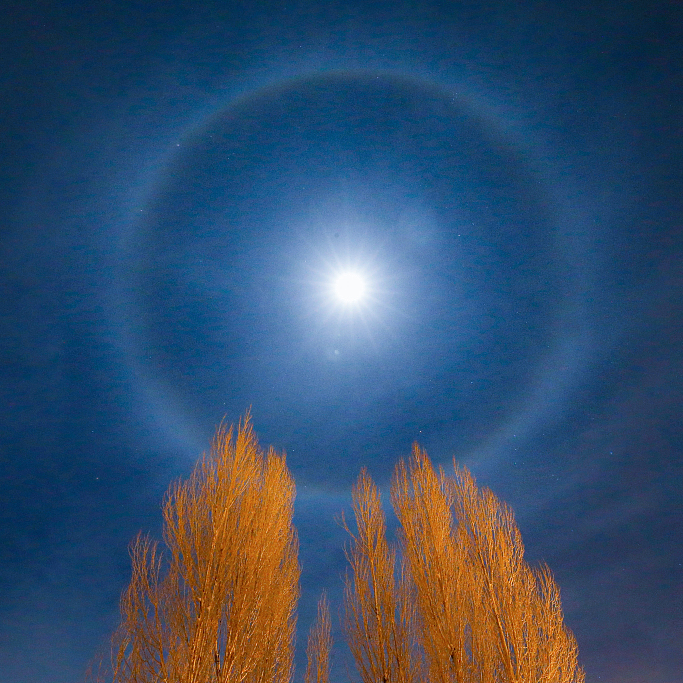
(219,604)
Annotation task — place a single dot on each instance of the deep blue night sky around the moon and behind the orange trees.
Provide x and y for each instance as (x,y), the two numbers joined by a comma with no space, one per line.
(182,182)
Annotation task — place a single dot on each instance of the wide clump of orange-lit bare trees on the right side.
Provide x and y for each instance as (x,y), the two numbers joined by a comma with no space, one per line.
(466,602)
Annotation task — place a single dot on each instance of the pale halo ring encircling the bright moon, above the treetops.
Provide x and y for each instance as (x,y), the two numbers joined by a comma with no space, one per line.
(549,378)
